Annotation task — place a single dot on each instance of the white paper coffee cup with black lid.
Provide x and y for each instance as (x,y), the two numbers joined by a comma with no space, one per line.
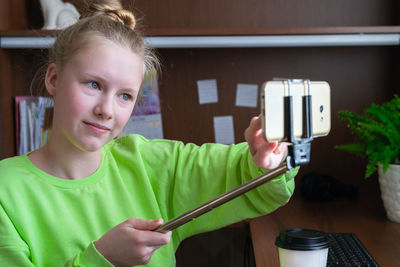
(302,248)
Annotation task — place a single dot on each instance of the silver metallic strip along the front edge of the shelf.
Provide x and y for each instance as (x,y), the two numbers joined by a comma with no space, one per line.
(243,41)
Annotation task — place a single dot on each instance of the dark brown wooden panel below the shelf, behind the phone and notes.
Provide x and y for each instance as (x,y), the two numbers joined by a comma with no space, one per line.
(358,76)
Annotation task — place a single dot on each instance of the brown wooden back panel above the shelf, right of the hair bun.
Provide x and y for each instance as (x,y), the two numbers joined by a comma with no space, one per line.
(252,13)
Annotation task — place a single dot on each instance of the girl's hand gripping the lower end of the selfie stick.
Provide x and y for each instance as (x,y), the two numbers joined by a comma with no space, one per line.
(132,242)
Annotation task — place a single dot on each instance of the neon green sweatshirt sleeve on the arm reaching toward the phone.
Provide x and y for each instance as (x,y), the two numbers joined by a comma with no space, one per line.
(186,176)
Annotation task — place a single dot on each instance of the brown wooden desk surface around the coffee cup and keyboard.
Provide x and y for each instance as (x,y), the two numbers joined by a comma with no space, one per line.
(365,217)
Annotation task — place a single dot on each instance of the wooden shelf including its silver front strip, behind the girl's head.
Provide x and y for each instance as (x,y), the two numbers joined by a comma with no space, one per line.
(212,38)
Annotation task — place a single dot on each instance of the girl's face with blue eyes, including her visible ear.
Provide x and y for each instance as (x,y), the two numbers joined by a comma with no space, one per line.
(94,95)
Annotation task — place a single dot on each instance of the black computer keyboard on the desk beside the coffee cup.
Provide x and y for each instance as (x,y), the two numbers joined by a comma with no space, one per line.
(345,249)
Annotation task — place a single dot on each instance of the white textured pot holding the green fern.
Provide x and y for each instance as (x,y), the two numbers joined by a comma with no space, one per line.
(390,191)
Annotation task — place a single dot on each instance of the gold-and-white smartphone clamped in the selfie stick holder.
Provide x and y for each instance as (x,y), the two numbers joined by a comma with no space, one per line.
(273,109)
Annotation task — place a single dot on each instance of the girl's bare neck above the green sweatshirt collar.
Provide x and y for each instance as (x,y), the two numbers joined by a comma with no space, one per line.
(66,163)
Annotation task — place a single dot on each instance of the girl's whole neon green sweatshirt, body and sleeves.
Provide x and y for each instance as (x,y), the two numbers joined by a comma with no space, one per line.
(48,221)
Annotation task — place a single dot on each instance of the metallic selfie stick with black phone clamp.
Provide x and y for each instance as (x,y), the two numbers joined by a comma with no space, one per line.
(298,154)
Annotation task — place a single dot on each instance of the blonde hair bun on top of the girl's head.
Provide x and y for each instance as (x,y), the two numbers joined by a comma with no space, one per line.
(111,9)
